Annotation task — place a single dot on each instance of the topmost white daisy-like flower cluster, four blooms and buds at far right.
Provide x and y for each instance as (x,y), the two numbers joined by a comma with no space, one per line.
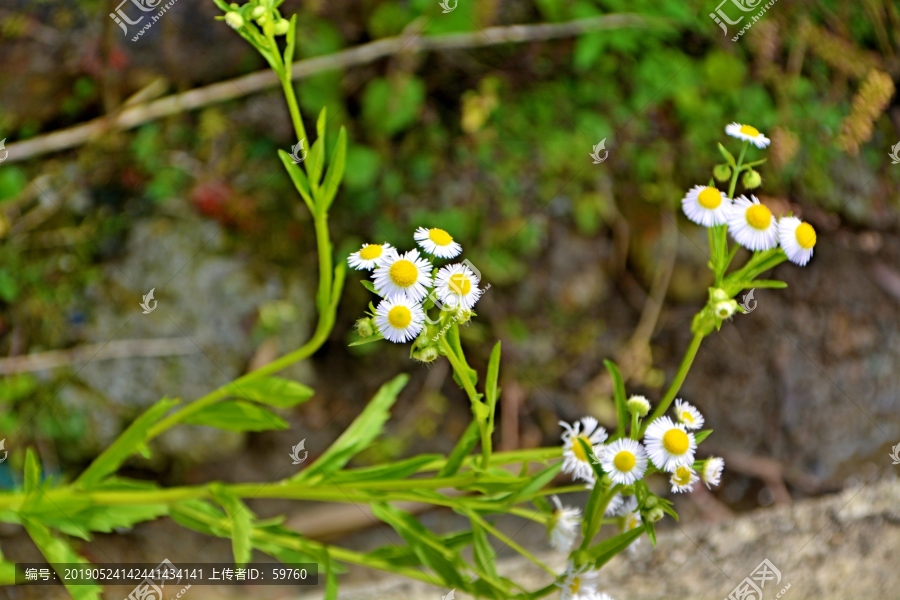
(750,222)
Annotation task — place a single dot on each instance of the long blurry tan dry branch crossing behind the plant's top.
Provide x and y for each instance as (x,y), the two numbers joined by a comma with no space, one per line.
(238,87)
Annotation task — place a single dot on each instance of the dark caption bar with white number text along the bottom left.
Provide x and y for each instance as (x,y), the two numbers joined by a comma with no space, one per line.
(166,573)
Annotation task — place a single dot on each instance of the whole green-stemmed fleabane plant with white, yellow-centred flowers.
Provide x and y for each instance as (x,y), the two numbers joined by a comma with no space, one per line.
(424,295)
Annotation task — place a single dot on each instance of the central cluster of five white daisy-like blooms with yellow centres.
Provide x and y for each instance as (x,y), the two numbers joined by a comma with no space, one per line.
(409,285)
